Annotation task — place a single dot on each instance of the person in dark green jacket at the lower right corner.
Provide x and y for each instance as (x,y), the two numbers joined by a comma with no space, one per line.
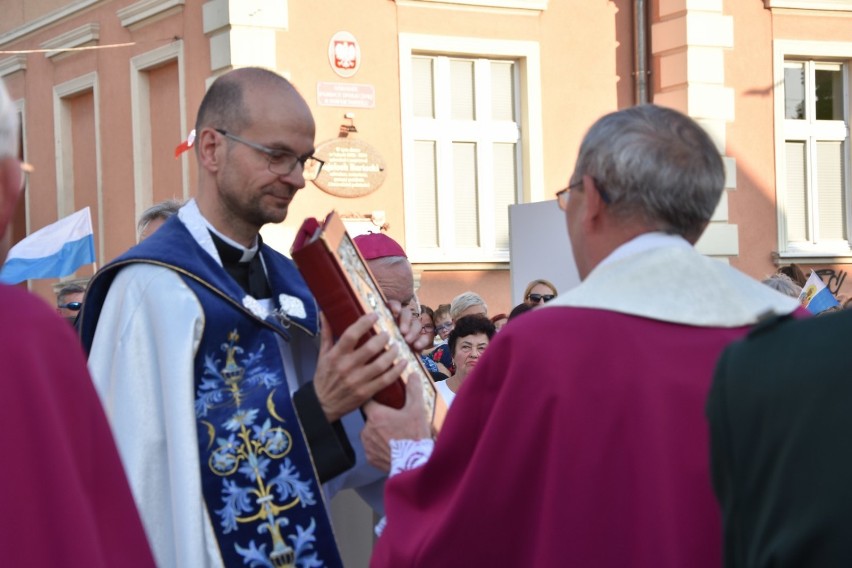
(780,412)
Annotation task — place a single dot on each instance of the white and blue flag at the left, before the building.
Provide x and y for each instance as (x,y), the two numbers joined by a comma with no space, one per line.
(53,251)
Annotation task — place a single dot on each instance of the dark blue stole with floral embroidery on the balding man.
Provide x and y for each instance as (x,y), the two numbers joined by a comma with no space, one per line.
(258,480)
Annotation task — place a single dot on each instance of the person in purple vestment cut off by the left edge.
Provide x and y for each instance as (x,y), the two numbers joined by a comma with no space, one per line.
(63,493)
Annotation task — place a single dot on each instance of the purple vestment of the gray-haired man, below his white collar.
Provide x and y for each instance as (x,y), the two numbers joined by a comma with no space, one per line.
(580,439)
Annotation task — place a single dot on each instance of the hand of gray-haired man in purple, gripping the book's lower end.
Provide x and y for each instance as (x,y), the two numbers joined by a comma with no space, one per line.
(385,423)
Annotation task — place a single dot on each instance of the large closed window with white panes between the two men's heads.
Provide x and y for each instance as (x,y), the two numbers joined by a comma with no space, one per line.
(463,154)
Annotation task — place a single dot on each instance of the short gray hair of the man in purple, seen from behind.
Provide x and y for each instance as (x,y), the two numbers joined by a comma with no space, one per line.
(657,166)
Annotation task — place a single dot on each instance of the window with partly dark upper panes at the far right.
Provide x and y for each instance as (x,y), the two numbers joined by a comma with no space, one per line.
(814,157)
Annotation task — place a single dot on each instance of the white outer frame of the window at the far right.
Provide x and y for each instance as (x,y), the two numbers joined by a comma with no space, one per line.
(785,50)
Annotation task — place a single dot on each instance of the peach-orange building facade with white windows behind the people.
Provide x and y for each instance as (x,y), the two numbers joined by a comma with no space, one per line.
(435,116)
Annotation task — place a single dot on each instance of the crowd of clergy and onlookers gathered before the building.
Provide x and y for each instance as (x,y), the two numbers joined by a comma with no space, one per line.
(669,411)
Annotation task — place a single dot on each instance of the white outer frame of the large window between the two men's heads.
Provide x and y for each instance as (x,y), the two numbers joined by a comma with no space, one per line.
(530,185)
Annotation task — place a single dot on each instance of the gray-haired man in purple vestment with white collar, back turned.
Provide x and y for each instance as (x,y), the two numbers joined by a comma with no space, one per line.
(603,388)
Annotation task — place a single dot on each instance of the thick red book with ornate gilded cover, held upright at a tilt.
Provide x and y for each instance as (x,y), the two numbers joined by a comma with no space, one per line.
(345,289)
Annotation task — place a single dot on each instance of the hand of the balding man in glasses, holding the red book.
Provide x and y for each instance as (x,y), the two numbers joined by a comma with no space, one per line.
(347,376)
